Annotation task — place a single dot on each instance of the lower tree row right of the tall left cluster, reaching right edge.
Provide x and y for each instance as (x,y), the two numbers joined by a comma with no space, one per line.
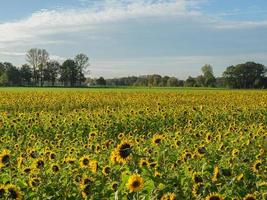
(247,75)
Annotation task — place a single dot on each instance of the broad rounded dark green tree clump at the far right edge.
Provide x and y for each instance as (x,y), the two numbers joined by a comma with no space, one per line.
(246,75)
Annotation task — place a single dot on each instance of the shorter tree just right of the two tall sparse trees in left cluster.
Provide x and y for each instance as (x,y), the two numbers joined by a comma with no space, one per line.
(51,72)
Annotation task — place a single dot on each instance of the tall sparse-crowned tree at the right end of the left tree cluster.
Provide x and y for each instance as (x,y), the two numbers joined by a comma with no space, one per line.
(82,62)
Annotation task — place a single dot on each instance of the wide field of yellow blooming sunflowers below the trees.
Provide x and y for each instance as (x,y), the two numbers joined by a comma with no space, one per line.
(133,144)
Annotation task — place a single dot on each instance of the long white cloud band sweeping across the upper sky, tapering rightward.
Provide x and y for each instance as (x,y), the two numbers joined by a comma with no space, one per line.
(40,24)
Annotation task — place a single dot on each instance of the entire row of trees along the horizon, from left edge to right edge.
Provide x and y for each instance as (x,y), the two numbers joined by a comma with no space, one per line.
(40,70)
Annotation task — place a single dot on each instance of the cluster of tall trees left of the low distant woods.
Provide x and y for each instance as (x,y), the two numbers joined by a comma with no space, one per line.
(40,70)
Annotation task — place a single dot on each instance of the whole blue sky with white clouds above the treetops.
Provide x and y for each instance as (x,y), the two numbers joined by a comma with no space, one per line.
(135,37)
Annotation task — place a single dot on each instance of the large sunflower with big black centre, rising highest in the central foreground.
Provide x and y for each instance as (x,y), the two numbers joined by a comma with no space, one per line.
(123,152)
